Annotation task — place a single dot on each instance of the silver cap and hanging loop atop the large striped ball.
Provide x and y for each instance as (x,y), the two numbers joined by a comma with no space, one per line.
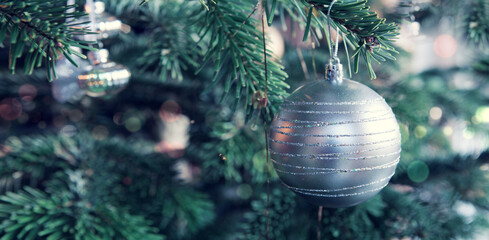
(334,69)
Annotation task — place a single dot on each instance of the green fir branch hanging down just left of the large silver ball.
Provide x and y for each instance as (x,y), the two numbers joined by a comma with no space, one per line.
(236,51)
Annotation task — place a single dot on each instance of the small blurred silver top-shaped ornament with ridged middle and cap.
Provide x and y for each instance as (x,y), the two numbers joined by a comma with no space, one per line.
(103,77)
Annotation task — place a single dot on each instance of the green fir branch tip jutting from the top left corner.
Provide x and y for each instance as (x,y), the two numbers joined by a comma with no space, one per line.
(37,29)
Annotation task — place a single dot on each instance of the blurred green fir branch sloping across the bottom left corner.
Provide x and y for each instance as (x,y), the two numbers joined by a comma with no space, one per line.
(32,214)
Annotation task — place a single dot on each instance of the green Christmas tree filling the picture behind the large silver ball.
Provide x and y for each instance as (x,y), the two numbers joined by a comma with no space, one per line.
(179,151)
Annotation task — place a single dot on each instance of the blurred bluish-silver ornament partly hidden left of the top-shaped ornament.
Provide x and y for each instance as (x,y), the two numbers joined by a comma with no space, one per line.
(65,87)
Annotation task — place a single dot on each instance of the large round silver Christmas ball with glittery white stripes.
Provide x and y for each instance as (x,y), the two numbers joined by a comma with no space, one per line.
(336,143)
